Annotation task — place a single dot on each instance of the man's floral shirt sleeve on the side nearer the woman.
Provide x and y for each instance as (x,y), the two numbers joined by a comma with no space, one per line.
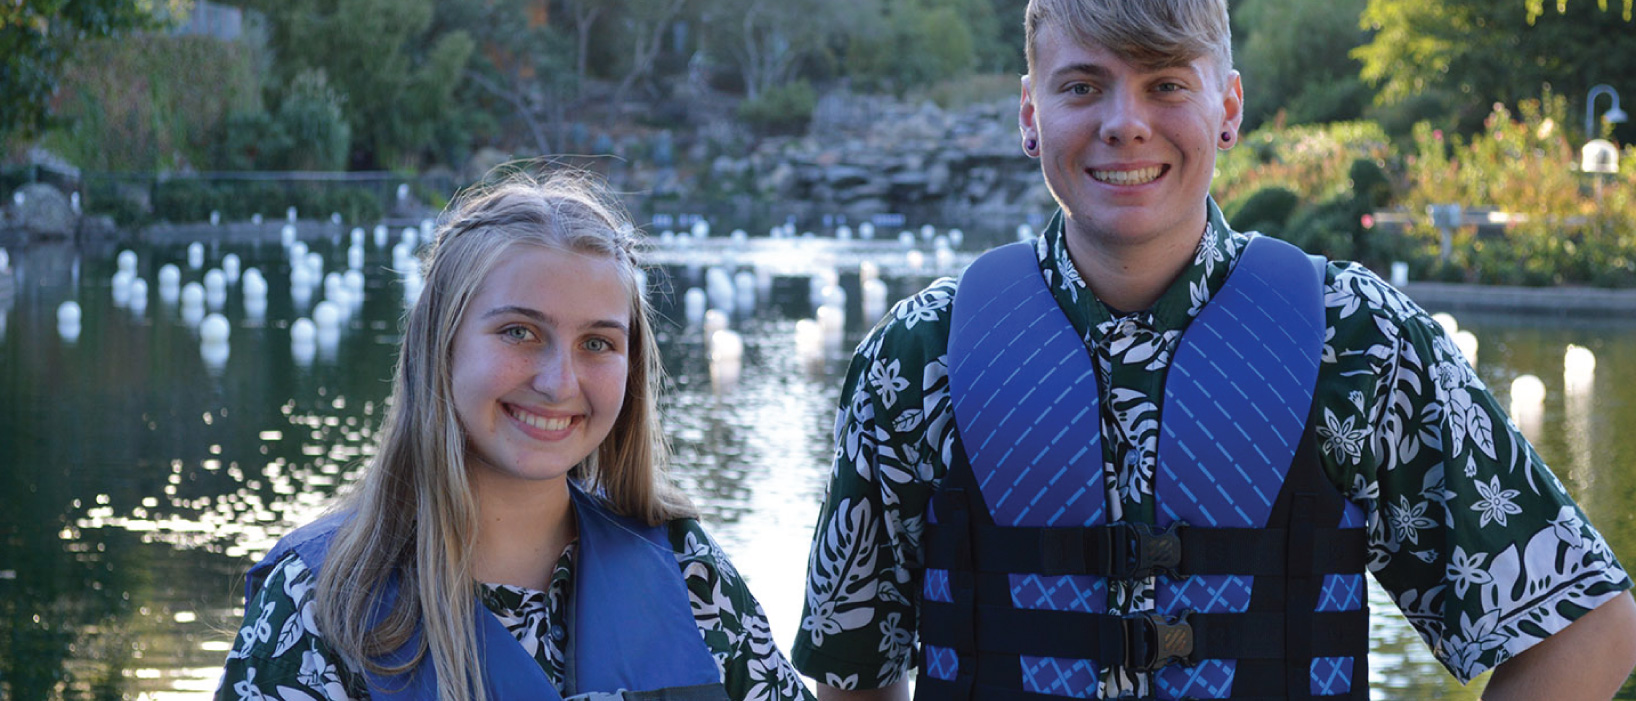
(894,443)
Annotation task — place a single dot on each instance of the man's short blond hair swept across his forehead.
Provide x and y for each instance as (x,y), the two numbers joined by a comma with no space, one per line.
(1149,34)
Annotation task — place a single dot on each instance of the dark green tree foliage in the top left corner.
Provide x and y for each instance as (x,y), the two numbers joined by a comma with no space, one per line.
(37,37)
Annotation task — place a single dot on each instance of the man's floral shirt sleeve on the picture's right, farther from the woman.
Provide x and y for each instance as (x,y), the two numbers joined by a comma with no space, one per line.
(1470,533)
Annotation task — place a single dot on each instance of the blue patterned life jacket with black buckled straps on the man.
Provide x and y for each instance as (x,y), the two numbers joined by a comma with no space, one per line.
(1257,558)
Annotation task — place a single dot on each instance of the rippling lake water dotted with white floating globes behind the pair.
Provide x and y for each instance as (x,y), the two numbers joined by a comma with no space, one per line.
(140,476)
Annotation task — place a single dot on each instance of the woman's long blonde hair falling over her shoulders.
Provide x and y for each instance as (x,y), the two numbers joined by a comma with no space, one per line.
(415,515)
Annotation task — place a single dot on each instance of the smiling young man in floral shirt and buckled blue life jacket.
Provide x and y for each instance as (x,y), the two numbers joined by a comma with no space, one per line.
(1151,458)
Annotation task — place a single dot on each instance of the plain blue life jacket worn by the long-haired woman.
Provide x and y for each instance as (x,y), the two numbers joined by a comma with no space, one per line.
(632,626)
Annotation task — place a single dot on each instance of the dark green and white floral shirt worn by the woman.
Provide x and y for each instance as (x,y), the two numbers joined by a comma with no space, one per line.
(282,656)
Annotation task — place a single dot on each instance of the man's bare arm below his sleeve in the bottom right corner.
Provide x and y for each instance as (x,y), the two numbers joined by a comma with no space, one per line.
(1586,661)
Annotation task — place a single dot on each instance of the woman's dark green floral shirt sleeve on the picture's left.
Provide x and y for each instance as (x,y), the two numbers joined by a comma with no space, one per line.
(279,653)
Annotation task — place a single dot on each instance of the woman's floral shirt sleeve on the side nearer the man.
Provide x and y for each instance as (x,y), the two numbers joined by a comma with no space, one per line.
(732,622)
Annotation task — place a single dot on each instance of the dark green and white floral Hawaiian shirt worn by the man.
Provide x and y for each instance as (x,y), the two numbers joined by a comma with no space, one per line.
(1472,535)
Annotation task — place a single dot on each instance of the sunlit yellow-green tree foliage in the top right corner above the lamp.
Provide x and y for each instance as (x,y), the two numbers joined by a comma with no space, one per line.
(1470,55)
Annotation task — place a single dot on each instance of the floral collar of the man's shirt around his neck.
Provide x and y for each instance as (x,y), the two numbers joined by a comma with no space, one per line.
(1205,276)
